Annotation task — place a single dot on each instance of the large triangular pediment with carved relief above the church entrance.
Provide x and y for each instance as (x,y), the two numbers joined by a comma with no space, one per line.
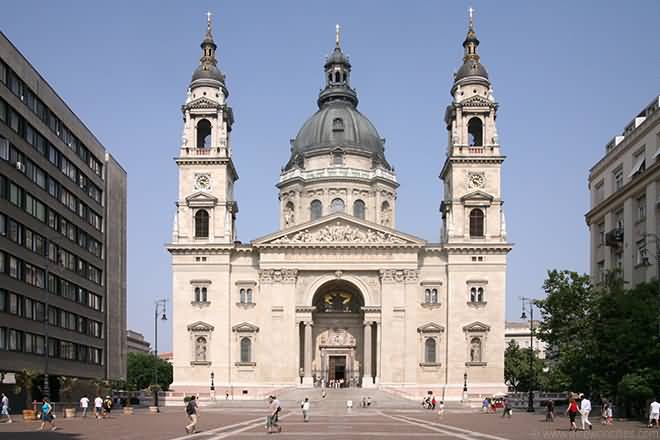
(339,230)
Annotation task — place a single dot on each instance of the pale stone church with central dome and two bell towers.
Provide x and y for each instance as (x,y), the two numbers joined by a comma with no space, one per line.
(338,293)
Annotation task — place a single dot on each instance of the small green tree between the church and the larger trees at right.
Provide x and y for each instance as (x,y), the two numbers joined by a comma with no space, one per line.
(517,372)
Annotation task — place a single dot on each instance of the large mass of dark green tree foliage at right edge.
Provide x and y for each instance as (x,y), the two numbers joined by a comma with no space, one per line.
(606,336)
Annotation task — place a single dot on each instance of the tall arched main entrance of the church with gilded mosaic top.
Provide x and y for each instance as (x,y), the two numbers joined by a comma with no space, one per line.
(337,336)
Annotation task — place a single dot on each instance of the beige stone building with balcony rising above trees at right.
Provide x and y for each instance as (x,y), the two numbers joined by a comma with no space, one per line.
(625,196)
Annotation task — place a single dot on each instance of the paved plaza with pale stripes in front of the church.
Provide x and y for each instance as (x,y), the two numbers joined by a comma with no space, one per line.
(358,423)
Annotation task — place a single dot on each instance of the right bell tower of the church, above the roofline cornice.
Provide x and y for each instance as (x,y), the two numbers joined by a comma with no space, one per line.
(472,207)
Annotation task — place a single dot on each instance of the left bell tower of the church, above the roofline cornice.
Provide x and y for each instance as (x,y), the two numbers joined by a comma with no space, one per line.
(206,209)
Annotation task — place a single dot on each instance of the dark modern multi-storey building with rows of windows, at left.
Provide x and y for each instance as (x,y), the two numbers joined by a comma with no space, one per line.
(62,256)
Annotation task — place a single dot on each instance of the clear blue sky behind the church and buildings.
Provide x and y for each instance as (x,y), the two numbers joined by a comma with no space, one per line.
(568,76)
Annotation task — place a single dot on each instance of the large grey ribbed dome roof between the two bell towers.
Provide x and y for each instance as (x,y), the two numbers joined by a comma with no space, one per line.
(338,124)
